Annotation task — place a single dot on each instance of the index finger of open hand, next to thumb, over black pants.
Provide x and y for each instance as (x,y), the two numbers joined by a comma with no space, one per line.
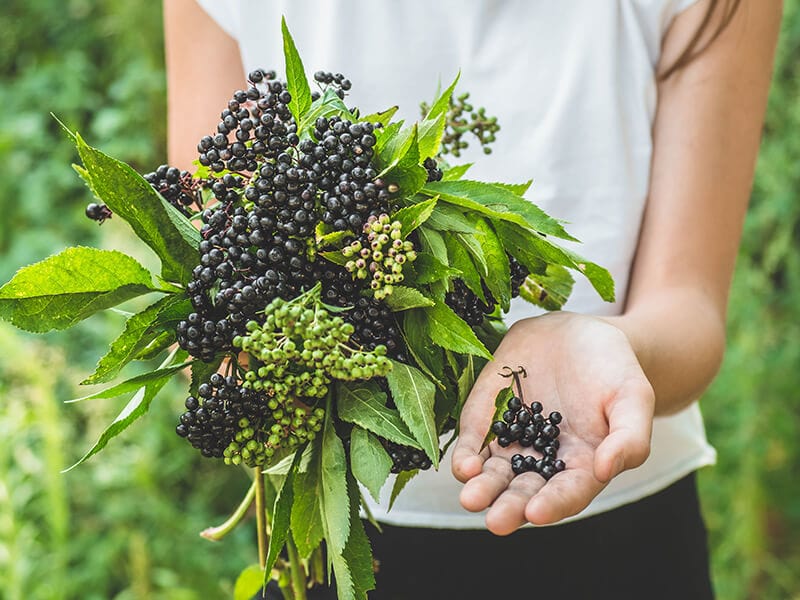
(566,494)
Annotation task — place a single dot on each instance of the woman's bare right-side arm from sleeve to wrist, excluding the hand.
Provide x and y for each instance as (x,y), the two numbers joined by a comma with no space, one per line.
(706,138)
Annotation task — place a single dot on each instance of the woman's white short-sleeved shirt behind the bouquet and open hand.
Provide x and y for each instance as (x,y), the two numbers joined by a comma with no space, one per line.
(572,84)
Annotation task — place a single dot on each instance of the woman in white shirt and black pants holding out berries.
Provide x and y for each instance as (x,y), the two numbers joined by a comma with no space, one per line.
(640,121)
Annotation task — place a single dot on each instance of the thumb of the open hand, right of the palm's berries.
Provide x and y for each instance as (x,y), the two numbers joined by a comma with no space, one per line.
(630,422)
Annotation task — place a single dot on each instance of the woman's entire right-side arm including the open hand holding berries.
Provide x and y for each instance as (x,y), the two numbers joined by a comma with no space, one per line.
(609,376)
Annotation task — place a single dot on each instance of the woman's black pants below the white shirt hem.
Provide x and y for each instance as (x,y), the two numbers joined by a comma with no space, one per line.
(652,549)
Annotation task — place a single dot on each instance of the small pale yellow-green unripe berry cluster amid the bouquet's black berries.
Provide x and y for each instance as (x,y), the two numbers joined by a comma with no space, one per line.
(384,258)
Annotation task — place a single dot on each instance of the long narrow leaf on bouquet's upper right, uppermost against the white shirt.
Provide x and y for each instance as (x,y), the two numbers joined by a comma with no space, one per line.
(498,203)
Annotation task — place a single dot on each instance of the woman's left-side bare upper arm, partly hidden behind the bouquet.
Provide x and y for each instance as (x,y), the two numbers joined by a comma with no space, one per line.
(203,70)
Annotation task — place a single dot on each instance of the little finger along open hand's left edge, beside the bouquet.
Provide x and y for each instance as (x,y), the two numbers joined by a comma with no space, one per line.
(474,423)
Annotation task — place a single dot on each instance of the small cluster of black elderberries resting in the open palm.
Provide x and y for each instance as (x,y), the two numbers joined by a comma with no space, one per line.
(528,426)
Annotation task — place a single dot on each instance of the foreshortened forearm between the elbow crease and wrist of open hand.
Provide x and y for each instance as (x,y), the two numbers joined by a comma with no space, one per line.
(679,338)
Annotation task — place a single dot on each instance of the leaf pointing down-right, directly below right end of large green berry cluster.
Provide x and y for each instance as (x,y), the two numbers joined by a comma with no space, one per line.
(365,405)
